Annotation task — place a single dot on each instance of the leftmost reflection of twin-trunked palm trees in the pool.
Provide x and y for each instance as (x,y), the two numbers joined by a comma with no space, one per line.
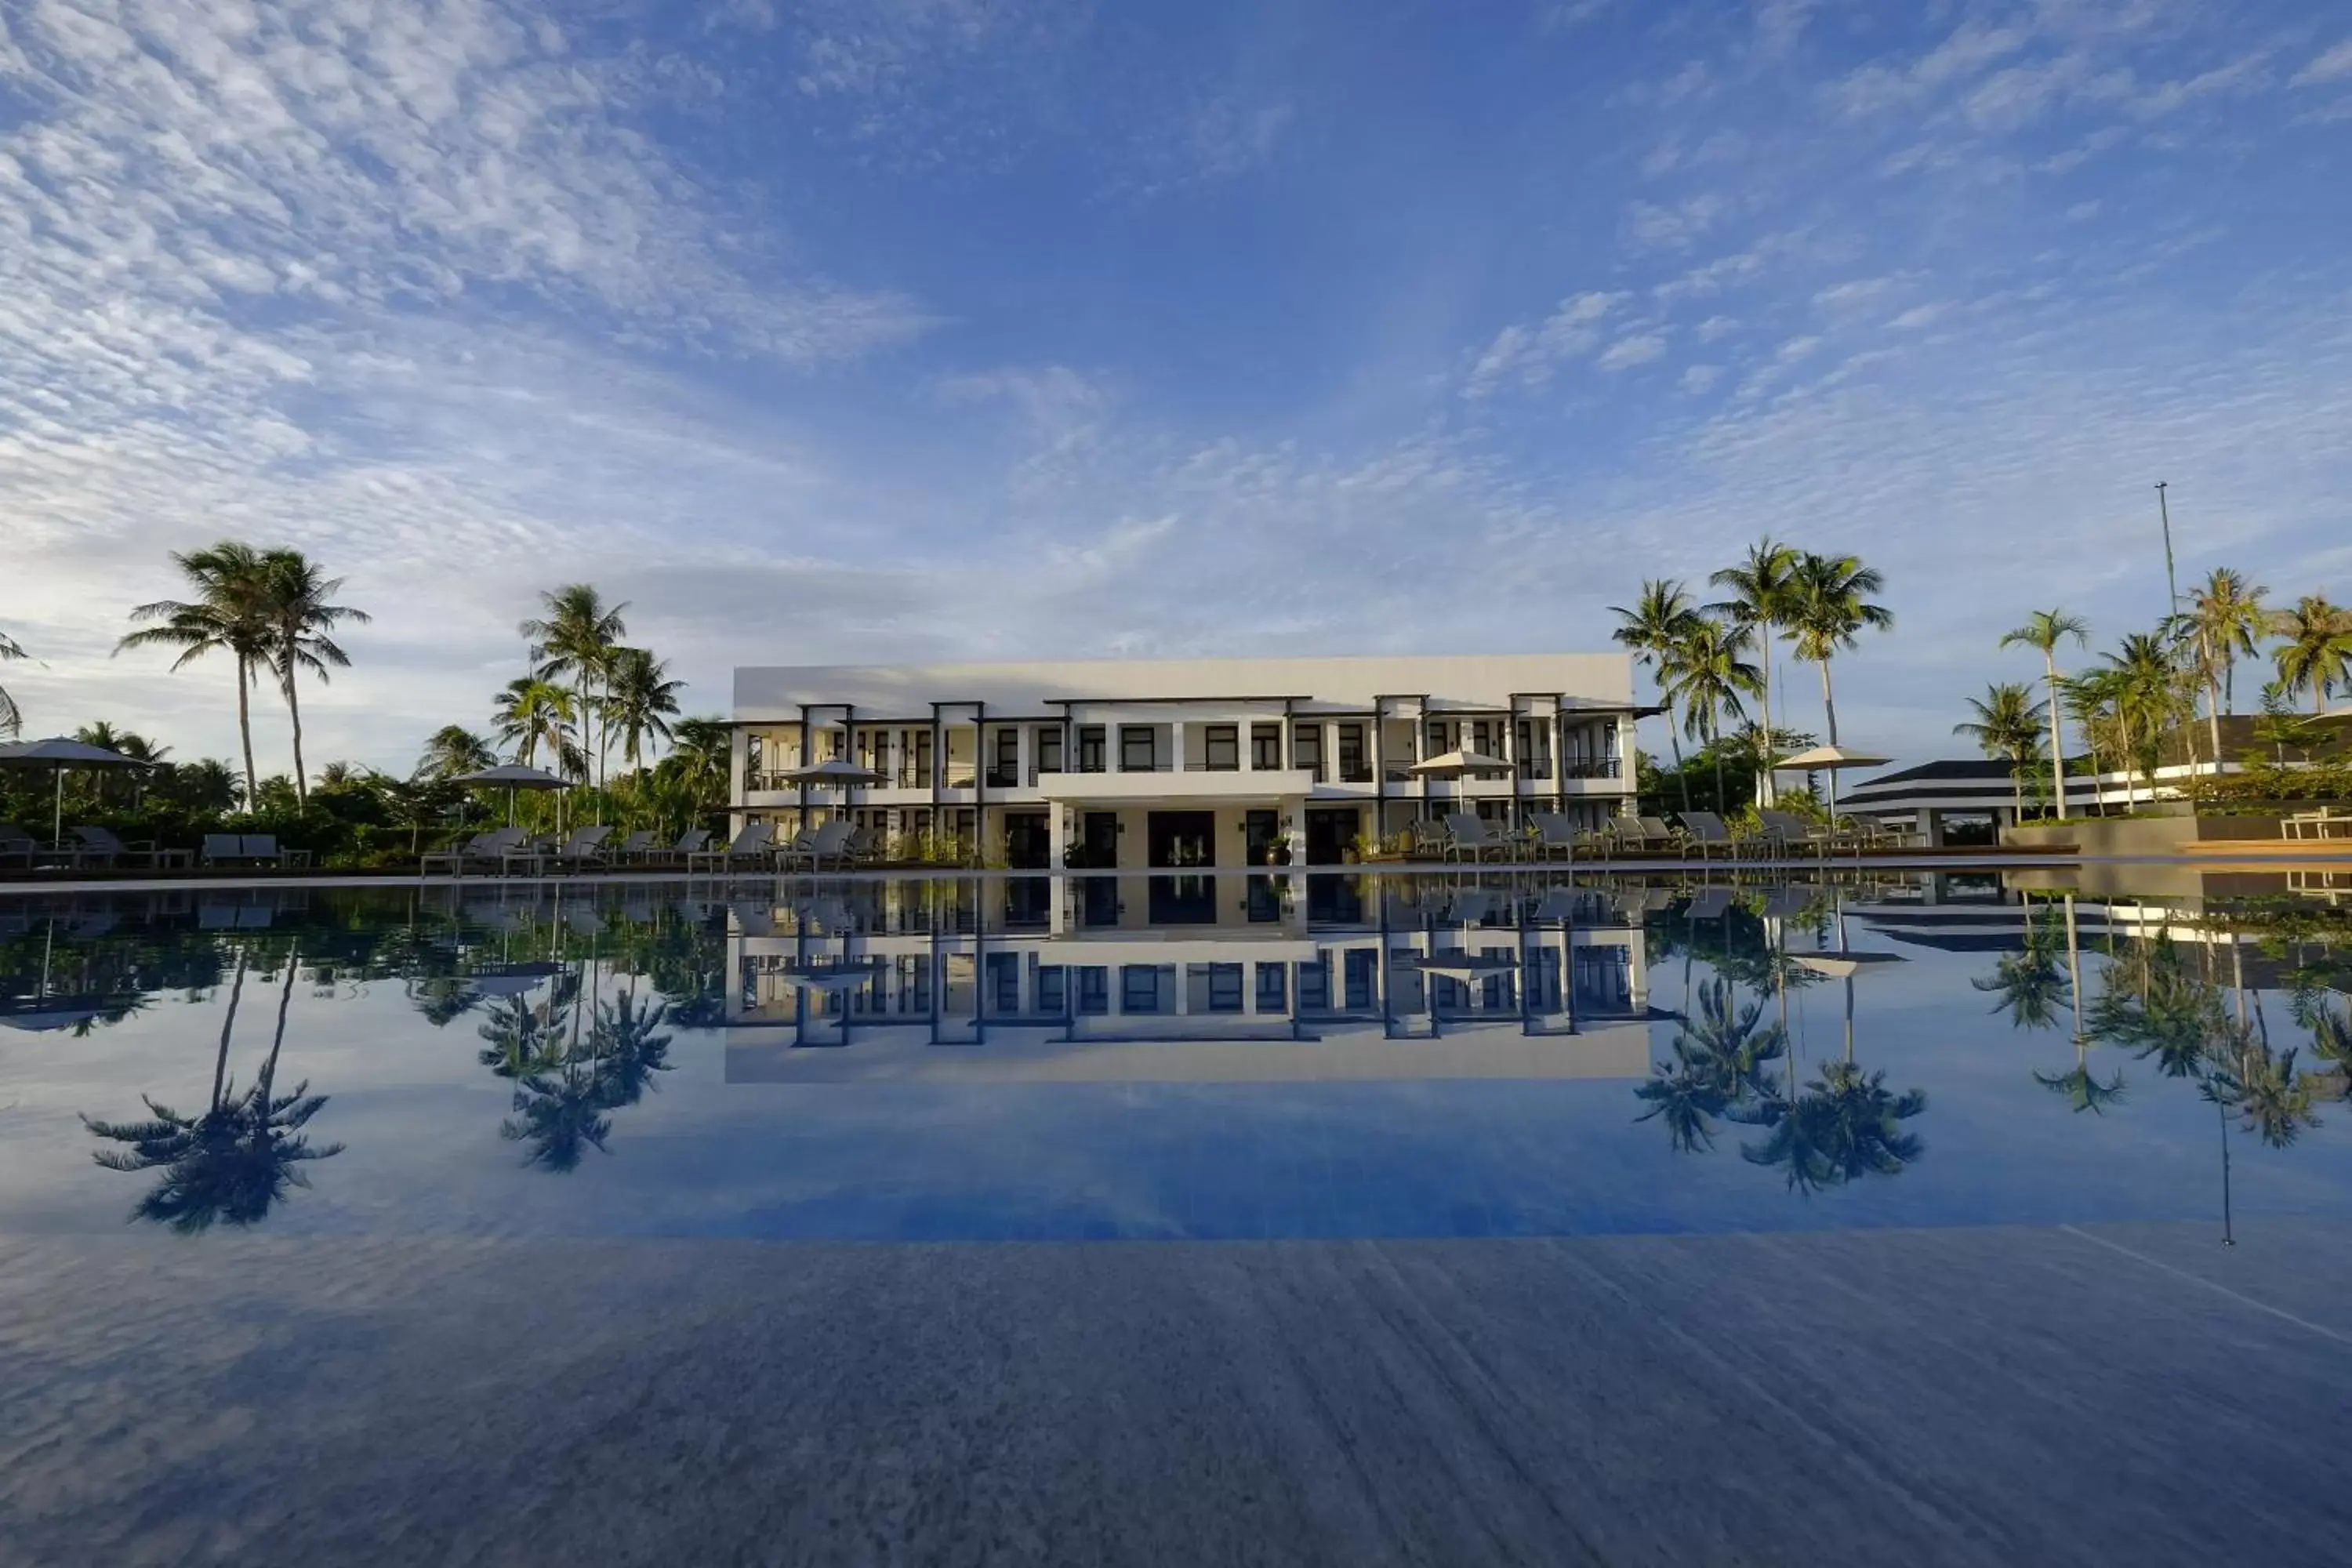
(234,1160)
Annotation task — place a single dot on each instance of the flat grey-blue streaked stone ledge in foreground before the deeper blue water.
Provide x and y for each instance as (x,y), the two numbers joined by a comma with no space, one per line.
(2005,1395)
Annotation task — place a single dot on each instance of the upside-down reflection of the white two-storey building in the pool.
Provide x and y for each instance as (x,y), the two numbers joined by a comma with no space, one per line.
(1509,981)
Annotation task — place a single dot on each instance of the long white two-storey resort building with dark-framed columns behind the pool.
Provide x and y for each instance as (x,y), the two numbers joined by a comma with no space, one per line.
(1163,765)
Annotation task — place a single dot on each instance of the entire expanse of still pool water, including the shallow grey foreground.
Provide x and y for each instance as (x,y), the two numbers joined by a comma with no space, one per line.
(309,1195)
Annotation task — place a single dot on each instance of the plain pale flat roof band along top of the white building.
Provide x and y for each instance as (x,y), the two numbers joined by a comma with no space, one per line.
(1450,681)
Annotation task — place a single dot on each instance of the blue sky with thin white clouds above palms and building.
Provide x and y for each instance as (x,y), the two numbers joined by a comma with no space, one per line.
(963,328)
